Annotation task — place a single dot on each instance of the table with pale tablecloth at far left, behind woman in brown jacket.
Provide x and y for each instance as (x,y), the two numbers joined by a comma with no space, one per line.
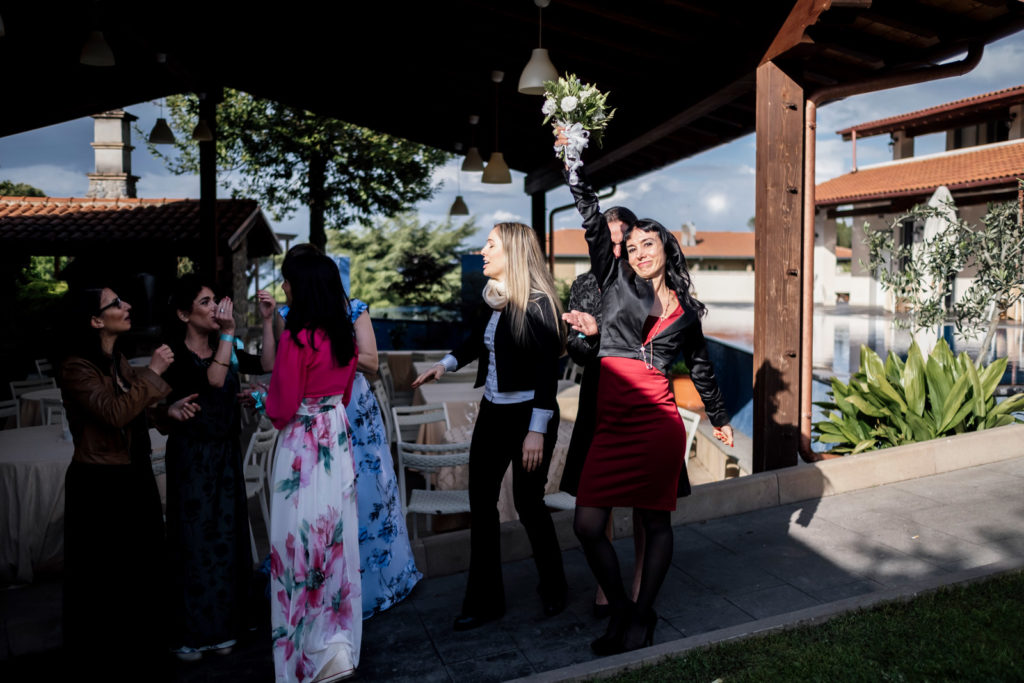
(33,463)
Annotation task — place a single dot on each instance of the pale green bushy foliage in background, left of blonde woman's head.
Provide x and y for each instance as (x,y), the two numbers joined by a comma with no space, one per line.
(400,262)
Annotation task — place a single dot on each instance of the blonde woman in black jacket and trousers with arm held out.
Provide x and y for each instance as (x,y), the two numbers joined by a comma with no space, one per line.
(518,344)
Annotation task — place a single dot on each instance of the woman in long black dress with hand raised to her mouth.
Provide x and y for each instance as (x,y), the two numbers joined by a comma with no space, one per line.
(207,514)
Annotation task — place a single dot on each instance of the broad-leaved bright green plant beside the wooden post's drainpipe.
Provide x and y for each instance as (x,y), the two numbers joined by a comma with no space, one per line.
(898,403)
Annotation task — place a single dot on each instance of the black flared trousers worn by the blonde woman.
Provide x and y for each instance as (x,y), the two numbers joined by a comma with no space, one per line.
(497,442)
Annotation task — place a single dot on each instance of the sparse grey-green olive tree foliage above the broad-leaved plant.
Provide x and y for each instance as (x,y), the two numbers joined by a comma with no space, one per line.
(923,275)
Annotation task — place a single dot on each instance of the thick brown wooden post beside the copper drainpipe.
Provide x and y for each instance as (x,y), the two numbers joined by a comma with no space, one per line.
(779,228)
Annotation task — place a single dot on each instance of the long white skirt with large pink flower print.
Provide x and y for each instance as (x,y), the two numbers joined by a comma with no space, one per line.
(316,602)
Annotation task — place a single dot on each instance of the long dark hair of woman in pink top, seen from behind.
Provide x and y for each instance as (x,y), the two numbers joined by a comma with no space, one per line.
(319,303)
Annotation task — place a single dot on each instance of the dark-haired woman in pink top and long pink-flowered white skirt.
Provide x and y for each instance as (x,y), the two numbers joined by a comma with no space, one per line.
(316,600)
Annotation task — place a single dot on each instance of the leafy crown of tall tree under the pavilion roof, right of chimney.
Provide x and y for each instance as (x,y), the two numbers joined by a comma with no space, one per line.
(287,157)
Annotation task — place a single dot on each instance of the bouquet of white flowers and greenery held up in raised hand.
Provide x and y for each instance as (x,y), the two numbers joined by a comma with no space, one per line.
(580,113)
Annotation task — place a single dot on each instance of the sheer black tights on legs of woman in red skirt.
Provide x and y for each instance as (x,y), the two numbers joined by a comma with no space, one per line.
(589,526)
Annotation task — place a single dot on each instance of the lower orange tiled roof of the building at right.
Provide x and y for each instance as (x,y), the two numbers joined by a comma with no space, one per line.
(974,167)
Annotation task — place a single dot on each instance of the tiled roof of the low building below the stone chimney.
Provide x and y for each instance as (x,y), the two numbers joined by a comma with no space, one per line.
(70,226)
